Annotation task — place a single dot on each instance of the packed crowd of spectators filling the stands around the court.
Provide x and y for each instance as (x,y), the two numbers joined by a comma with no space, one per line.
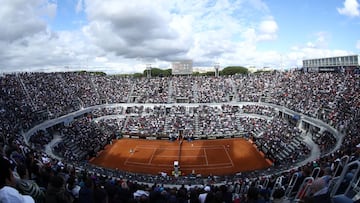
(28,99)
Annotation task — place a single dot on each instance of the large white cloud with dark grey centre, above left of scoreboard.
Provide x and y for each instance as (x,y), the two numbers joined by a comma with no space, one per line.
(138,29)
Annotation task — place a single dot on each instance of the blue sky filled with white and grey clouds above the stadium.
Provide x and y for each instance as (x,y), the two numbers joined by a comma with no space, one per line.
(121,36)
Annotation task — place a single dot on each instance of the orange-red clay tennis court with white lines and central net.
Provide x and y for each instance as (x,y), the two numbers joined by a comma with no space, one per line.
(215,157)
